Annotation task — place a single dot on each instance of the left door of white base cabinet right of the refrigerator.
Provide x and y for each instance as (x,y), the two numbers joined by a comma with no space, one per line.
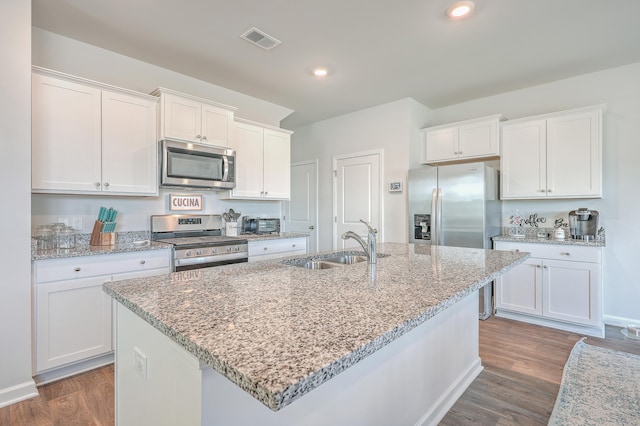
(520,289)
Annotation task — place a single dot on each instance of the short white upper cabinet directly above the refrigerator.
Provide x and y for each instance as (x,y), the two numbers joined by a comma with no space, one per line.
(465,140)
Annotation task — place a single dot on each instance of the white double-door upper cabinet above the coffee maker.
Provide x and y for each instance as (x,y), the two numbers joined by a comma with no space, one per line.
(553,156)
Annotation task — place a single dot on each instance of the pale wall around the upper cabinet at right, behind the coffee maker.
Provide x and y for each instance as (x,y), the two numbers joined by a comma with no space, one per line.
(619,88)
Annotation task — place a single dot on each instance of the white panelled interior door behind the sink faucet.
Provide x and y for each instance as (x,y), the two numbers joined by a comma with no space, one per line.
(357,185)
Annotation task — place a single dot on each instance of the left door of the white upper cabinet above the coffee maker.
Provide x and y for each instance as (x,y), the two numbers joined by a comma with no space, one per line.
(523,160)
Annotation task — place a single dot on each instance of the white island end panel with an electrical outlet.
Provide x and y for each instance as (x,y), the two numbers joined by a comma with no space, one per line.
(157,382)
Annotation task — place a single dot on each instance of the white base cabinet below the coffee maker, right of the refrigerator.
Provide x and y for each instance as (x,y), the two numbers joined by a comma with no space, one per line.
(559,286)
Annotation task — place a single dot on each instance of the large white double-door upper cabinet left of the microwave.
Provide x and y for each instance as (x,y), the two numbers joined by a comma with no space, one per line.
(92,138)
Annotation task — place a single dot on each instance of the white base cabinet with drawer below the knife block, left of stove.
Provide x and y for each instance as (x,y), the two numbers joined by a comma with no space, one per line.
(72,315)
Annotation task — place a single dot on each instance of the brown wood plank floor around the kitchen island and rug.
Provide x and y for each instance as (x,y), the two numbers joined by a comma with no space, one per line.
(523,369)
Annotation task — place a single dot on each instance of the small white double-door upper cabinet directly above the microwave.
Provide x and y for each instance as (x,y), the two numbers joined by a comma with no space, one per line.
(194,119)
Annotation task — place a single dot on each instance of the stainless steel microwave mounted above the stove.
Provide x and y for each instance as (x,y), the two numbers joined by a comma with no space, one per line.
(195,165)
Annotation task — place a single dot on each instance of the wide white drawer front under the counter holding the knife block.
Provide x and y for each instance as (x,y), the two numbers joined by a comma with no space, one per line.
(90,266)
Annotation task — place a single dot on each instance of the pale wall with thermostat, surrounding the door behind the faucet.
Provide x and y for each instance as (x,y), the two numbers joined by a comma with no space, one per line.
(392,127)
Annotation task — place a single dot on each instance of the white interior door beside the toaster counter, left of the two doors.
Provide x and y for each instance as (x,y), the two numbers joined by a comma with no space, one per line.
(301,211)
